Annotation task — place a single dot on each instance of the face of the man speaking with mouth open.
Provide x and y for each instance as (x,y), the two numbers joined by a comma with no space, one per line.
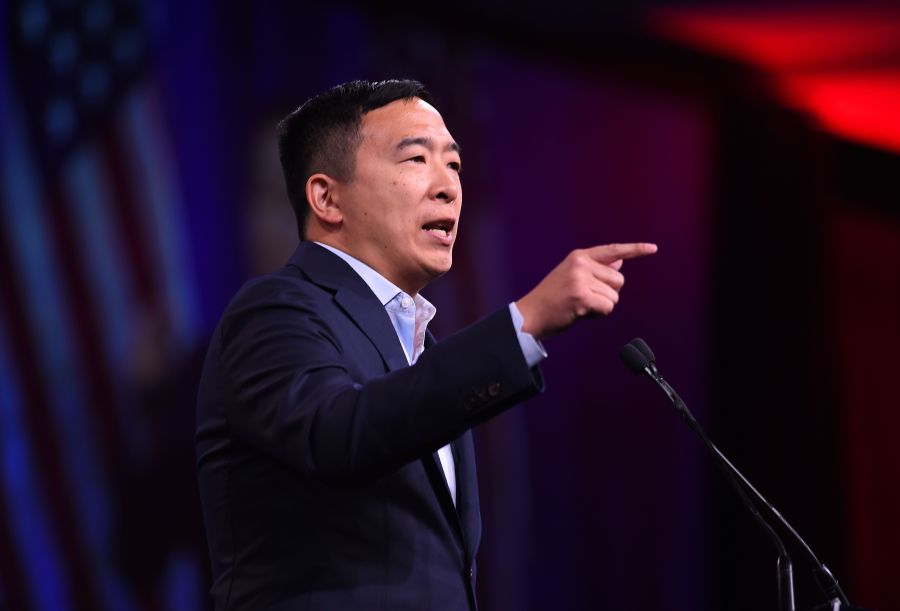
(401,209)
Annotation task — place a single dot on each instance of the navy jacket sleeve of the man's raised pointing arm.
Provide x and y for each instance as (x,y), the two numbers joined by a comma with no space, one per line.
(290,393)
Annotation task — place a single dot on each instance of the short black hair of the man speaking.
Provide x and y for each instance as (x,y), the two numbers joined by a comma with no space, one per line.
(323,134)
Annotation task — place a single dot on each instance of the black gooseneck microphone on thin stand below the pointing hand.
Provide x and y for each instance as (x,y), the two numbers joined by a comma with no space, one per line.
(639,358)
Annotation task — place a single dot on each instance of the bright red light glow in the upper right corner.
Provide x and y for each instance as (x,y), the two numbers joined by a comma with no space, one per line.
(842,66)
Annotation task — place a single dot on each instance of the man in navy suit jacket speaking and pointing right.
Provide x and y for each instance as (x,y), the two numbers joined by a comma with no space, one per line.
(335,460)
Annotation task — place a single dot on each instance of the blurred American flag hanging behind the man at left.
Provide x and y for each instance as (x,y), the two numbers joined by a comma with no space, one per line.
(93,244)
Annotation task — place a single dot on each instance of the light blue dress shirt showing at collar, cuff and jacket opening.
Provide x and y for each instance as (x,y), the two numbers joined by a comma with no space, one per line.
(410,317)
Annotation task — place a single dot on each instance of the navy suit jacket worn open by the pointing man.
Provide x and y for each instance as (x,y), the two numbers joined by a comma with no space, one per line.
(316,446)
